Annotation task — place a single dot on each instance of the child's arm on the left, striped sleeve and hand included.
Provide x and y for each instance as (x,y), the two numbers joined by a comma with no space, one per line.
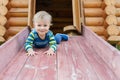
(29,44)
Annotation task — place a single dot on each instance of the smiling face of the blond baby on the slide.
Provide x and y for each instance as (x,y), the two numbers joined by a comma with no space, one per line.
(42,27)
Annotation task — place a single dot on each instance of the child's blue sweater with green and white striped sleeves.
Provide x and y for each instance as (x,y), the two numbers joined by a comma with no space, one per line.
(34,40)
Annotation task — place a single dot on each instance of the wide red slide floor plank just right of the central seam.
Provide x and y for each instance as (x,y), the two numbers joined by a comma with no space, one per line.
(72,64)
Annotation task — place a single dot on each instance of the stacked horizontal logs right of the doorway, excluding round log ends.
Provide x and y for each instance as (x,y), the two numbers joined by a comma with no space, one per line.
(95,17)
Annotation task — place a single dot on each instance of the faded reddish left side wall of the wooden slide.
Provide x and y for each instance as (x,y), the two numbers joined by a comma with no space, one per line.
(9,49)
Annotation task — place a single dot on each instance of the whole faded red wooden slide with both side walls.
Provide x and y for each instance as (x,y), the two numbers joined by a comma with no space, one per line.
(86,57)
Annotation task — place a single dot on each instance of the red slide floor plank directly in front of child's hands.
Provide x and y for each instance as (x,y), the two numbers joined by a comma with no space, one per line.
(39,67)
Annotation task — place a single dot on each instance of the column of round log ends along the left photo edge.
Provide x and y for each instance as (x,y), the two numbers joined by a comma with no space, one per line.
(3,19)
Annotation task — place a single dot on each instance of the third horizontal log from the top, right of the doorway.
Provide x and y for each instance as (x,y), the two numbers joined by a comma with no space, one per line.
(94,21)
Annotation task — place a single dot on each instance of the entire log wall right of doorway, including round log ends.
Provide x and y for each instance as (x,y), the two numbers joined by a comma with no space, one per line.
(103,17)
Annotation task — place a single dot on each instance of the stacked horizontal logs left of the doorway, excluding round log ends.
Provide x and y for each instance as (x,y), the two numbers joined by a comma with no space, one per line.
(17,17)
